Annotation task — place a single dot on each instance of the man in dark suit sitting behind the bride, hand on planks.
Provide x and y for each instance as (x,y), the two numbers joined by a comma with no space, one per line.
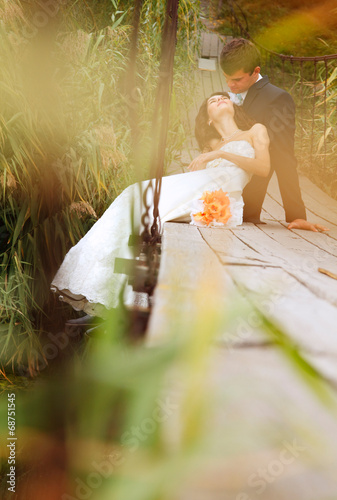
(275,108)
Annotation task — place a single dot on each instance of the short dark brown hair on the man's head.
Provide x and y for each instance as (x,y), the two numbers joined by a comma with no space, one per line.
(239,54)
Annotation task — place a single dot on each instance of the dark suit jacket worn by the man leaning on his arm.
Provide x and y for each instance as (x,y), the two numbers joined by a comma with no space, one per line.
(275,108)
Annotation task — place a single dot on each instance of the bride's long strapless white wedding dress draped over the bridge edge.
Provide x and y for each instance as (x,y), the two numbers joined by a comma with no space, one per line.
(86,278)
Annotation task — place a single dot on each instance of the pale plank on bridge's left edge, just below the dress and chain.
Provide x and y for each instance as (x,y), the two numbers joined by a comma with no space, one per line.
(191,281)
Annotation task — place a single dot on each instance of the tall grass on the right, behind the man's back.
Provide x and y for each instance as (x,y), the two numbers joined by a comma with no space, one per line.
(315,95)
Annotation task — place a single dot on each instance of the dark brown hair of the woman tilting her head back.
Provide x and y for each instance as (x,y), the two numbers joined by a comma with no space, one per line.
(204,133)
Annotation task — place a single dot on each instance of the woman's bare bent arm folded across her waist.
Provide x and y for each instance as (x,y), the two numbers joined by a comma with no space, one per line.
(260,165)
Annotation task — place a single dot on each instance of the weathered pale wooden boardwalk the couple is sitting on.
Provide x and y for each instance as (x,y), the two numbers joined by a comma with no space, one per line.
(253,275)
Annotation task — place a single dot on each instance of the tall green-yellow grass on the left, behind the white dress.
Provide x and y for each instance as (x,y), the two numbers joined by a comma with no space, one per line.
(65,142)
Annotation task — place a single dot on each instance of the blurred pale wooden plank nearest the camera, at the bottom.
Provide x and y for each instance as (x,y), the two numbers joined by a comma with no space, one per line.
(268,420)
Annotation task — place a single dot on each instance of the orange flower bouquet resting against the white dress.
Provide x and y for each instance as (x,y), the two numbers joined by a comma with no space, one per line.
(216,209)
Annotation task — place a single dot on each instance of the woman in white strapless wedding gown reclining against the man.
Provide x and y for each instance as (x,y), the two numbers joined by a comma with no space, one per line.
(233,150)
